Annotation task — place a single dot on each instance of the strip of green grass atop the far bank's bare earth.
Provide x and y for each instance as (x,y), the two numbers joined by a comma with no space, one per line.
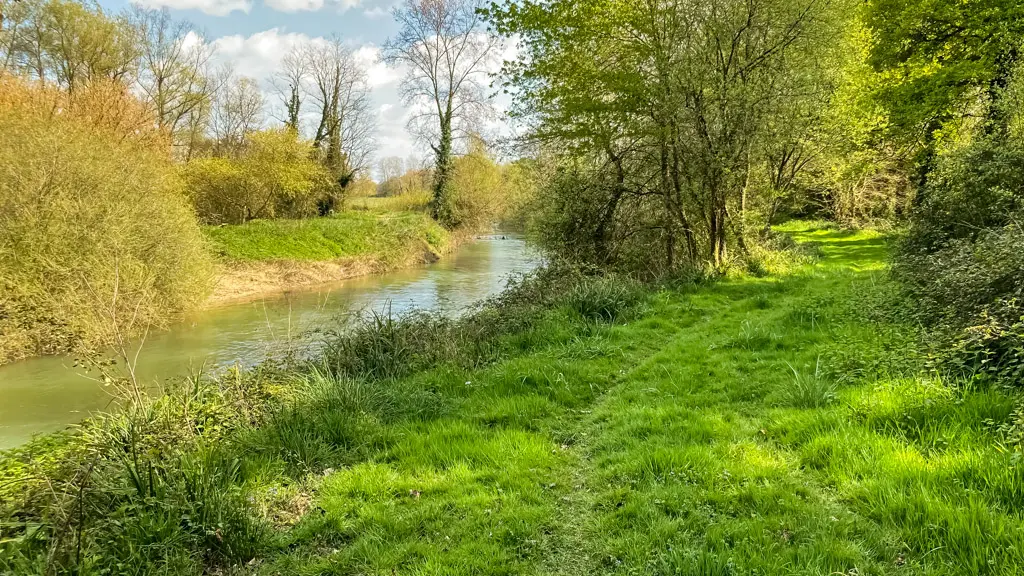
(349,235)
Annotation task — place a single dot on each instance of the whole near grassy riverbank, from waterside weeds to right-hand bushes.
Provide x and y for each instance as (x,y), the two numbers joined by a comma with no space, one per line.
(772,426)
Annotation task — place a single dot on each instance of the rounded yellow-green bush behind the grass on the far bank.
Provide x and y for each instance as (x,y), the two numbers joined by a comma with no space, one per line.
(274,177)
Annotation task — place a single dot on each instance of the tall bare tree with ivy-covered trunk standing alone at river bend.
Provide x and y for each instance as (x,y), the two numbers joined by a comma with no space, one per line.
(447,54)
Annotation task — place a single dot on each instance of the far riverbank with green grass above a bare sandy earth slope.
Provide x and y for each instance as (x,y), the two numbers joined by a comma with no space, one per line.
(272,257)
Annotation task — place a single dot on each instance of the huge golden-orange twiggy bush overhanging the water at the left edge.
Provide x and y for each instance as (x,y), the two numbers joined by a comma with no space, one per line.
(96,235)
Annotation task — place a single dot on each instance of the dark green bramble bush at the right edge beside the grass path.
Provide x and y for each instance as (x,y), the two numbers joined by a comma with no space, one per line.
(963,260)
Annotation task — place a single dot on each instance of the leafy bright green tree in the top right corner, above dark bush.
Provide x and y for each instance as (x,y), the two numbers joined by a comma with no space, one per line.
(942,61)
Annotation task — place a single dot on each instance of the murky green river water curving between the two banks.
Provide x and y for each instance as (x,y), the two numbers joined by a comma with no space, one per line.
(42,395)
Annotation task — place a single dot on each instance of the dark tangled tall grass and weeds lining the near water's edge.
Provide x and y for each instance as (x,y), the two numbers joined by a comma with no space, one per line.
(167,483)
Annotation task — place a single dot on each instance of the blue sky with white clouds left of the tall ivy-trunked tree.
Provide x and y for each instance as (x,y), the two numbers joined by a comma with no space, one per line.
(254,35)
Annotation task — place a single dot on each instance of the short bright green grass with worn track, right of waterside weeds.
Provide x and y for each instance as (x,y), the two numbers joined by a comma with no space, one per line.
(770,427)
